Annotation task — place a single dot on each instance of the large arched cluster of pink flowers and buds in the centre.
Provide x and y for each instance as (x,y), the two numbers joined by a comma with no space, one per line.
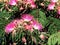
(27,22)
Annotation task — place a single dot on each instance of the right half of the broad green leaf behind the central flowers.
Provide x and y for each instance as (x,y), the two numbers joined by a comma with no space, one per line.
(42,18)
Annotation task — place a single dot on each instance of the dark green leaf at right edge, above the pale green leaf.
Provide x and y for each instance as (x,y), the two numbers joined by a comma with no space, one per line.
(54,26)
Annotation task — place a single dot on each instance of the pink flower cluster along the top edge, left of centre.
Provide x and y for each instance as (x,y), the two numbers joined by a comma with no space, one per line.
(29,3)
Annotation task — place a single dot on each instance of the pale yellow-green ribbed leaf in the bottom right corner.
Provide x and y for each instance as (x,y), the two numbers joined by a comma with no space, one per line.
(54,39)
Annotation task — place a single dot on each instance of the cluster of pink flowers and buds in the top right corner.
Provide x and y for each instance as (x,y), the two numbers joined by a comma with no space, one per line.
(54,3)
